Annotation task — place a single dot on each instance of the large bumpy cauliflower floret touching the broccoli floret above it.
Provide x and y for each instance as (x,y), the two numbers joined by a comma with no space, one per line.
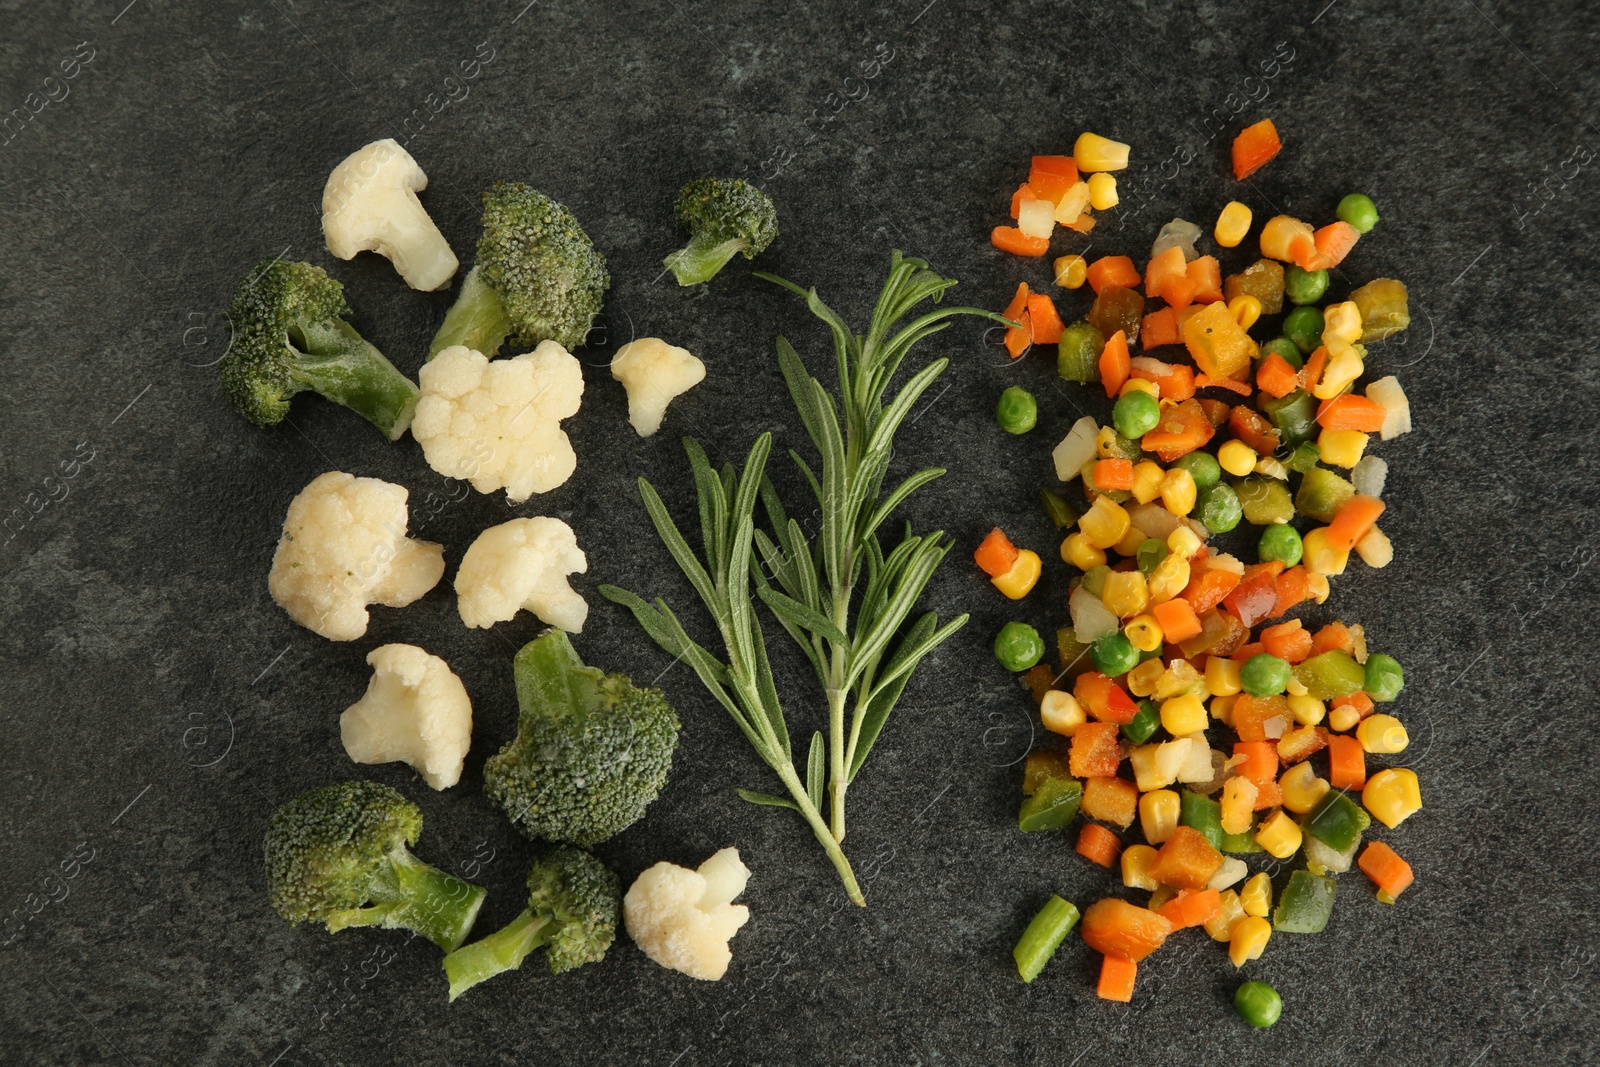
(498,425)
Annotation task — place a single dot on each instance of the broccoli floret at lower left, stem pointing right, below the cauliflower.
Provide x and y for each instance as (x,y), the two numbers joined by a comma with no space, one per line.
(342,855)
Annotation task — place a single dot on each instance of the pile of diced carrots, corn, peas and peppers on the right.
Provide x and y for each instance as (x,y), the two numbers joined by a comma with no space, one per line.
(1186,697)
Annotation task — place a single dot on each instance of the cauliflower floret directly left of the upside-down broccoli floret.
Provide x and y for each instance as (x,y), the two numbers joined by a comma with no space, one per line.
(415,711)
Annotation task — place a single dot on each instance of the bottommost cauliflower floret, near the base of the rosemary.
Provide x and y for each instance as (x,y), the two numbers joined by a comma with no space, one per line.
(684,919)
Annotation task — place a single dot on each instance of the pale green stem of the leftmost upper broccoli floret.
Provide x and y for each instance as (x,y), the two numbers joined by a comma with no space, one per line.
(337,362)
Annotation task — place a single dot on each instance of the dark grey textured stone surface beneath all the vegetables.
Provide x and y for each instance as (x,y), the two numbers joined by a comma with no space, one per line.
(156,706)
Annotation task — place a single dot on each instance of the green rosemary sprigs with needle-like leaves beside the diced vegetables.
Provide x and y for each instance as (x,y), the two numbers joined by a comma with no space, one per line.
(858,642)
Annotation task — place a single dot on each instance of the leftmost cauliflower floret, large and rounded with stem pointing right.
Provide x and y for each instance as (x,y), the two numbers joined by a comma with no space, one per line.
(345,548)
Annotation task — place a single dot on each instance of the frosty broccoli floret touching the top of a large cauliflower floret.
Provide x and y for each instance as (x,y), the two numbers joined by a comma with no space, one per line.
(538,278)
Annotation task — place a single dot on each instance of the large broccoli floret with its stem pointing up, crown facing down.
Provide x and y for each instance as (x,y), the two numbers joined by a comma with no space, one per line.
(591,749)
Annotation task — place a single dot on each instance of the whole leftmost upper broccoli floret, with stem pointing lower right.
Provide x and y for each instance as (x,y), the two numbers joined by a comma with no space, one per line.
(290,337)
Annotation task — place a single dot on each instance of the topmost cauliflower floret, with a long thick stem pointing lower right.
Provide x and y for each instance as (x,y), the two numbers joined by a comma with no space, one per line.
(370,206)
